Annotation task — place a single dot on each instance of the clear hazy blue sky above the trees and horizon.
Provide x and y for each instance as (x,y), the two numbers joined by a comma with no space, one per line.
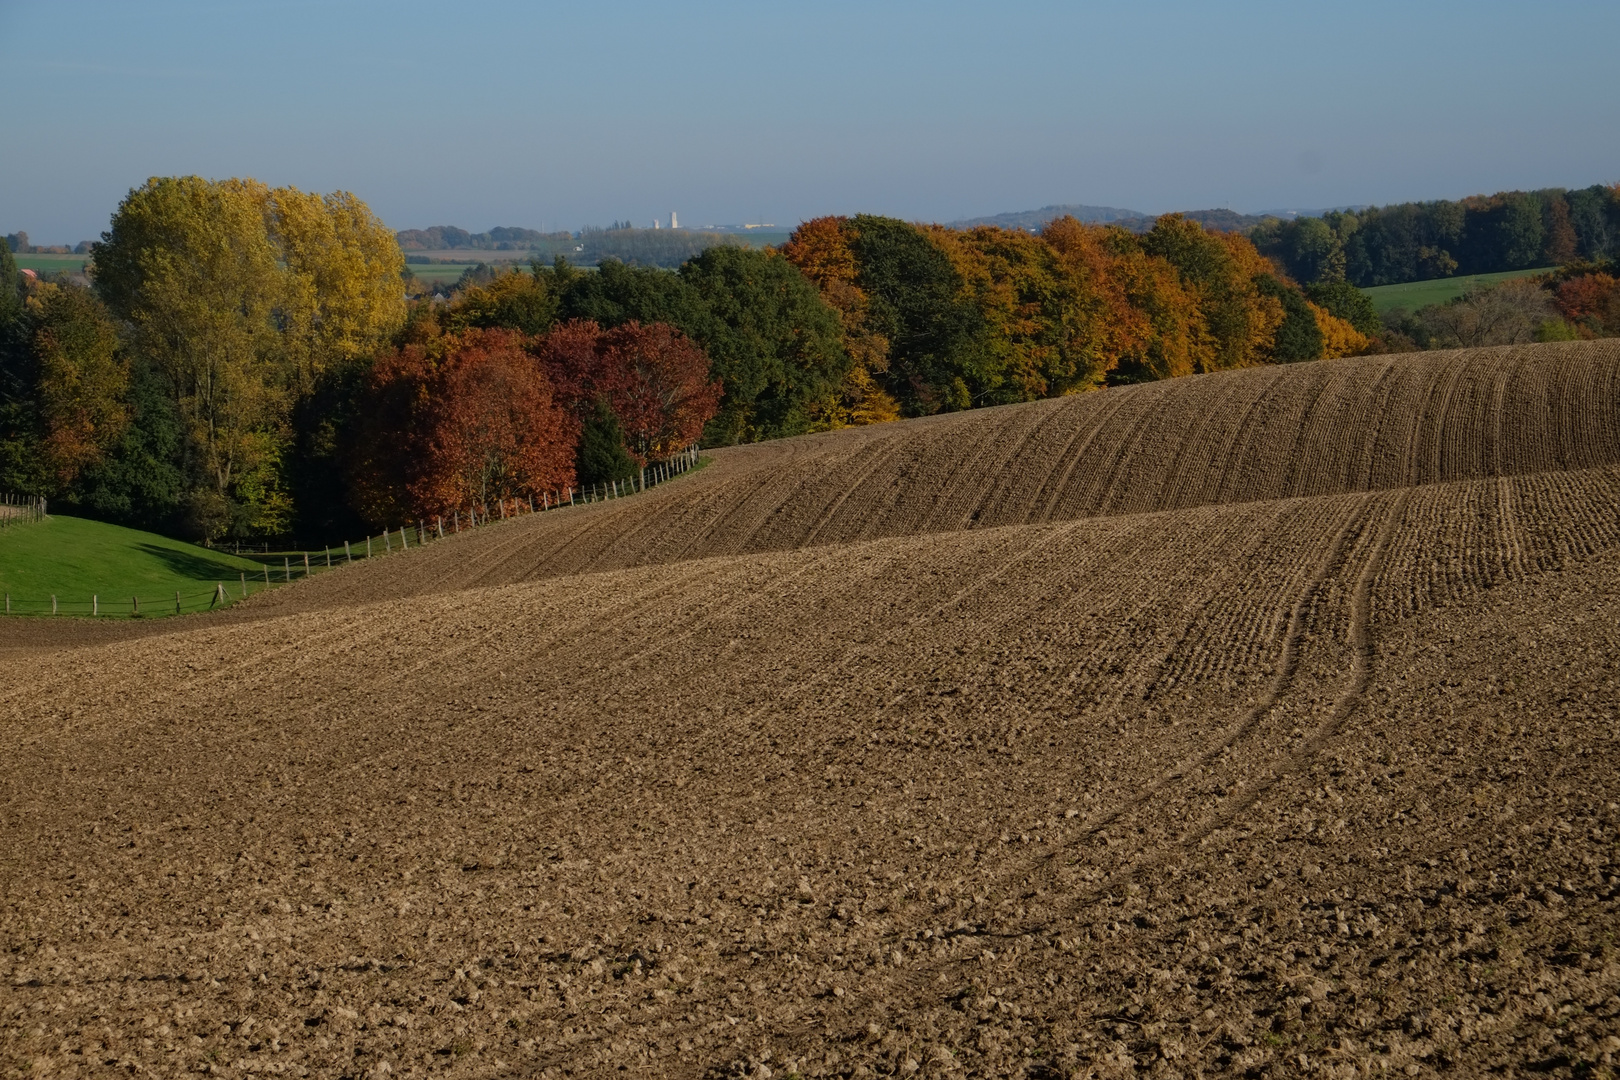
(508,113)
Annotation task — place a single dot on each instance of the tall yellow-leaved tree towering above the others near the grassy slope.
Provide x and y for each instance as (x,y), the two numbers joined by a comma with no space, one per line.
(242,296)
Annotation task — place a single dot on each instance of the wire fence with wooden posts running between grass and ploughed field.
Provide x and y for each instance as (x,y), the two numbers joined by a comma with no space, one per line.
(284,568)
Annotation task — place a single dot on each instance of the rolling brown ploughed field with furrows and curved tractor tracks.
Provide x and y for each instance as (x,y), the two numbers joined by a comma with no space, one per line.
(1237,726)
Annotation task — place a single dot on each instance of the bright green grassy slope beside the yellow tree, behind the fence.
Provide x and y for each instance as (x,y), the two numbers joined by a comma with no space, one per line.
(75,559)
